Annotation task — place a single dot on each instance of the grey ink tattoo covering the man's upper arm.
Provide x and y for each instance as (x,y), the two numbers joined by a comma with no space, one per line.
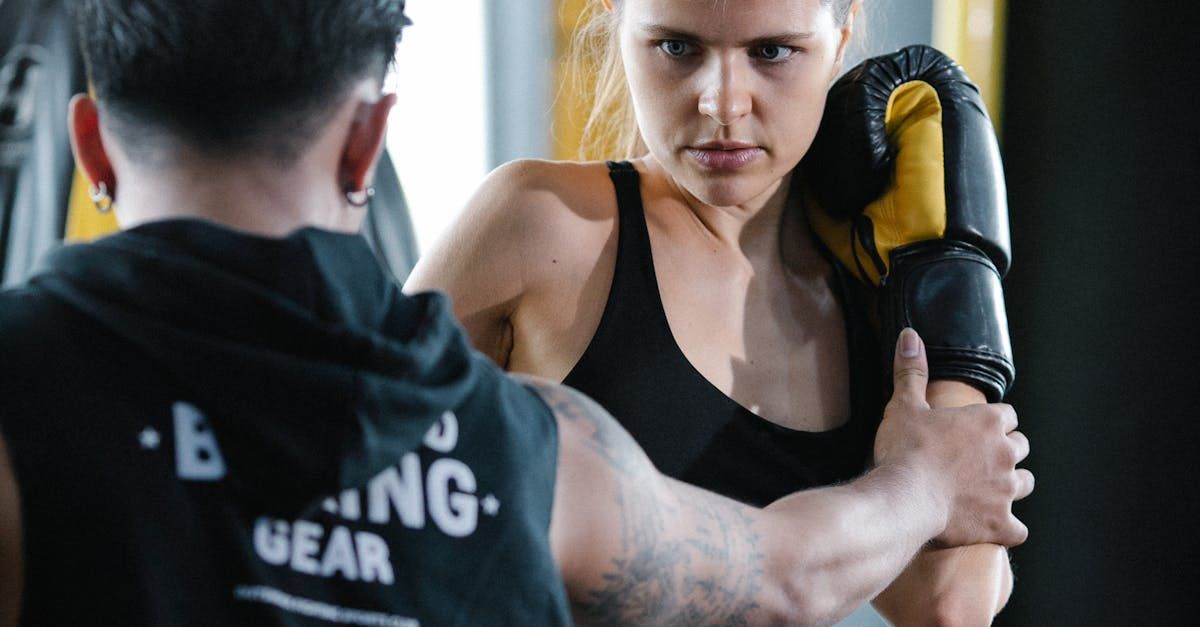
(688,558)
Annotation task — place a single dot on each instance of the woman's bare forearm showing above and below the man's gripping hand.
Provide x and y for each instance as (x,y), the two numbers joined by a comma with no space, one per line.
(964,586)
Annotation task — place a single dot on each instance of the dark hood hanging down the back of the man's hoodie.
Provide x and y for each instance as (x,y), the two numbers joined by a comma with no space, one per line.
(314,369)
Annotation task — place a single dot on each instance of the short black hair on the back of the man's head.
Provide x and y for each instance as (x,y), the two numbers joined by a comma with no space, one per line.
(232,76)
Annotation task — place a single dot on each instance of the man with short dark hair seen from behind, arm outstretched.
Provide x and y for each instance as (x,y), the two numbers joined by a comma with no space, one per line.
(262,429)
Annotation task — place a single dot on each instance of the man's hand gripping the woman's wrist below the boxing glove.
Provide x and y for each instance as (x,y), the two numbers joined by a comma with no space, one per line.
(971,453)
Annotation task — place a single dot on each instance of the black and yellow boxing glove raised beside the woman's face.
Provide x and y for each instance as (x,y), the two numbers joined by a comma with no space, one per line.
(905,187)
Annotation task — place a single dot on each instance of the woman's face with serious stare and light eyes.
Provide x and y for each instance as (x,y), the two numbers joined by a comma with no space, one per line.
(729,93)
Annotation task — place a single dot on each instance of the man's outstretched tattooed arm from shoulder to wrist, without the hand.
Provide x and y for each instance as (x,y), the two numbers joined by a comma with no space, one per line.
(639,548)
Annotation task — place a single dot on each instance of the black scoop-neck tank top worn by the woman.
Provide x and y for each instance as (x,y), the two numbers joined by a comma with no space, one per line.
(691,429)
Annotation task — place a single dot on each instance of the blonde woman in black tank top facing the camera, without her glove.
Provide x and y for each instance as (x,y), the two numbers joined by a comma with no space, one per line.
(680,290)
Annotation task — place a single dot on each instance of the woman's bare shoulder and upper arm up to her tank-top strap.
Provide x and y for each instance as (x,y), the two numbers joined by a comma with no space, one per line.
(523,260)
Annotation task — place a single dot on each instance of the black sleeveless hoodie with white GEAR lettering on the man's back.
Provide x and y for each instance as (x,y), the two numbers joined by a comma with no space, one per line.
(212,428)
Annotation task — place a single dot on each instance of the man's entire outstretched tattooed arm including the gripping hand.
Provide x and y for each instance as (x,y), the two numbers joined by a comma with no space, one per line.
(635,547)
